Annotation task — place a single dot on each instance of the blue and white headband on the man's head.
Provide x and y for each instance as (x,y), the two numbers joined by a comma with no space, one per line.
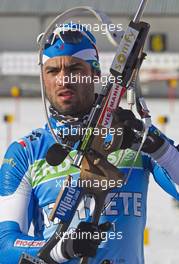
(84,50)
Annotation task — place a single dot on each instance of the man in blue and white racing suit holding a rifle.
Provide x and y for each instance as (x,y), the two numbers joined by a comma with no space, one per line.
(29,185)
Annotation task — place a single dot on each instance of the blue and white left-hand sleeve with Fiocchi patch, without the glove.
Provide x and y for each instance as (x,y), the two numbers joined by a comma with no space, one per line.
(16,205)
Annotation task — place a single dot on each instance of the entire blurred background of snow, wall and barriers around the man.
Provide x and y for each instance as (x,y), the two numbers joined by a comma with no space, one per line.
(20,104)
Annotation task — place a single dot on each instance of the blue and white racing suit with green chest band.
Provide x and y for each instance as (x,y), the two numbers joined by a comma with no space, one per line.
(29,187)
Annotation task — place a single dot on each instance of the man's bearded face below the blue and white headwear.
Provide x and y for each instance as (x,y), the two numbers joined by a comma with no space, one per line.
(68,96)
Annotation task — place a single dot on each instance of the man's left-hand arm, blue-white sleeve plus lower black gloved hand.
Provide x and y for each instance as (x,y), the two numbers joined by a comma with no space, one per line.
(16,210)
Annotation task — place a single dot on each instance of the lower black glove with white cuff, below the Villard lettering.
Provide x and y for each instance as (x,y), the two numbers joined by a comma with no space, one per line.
(86,240)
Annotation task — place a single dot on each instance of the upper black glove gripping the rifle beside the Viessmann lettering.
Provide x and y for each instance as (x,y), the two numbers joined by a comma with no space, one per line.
(127,120)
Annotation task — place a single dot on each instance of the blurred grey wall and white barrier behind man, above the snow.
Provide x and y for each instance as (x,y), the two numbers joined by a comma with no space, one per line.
(22,20)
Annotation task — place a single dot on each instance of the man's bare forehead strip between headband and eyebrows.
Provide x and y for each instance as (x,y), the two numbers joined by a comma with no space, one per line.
(64,60)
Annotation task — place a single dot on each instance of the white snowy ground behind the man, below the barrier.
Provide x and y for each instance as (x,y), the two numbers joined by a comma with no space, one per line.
(163,216)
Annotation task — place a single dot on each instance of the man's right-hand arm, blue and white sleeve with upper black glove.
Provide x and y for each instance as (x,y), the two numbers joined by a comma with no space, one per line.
(162,156)
